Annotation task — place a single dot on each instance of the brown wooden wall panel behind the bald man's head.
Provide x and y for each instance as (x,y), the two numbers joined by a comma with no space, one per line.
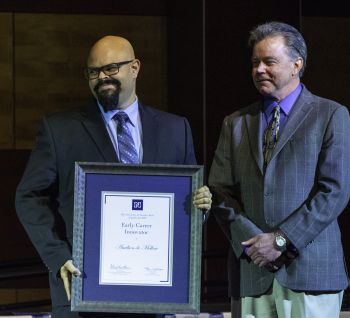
(50,54)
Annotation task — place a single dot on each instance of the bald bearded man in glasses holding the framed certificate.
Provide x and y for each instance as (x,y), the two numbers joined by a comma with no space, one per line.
(44,198)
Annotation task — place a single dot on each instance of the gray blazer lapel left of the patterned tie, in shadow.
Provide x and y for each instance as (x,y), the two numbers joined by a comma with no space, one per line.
(253,122)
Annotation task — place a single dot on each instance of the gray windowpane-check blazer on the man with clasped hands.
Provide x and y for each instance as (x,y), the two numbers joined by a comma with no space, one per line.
(303,190)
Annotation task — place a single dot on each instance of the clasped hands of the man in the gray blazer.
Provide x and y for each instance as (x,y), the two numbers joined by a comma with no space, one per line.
(261,249)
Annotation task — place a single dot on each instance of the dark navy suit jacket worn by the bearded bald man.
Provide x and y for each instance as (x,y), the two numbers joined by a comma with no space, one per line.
(44,198)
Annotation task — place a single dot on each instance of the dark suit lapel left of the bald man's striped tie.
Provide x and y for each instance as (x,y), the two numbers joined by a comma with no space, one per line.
(95,126)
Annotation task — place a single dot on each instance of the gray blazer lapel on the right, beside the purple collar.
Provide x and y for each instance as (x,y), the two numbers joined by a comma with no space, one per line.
(300,110)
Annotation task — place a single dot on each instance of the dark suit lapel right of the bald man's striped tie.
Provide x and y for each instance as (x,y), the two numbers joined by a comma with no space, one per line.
(149,134)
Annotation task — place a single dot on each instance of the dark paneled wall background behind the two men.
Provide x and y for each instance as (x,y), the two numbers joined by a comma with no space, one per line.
(195,62)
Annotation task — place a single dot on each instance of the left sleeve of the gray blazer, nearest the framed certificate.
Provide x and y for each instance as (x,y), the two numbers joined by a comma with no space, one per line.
(226,206)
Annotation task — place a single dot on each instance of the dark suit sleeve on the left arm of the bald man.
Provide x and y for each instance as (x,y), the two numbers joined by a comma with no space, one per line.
(37,206)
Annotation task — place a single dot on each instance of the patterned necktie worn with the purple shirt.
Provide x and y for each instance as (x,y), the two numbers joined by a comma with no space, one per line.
(271,134)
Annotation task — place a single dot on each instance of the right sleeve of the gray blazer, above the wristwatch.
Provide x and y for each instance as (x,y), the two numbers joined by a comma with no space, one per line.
(331,192)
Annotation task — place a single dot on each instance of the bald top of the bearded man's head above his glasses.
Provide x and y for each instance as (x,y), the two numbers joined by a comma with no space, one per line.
(110,49)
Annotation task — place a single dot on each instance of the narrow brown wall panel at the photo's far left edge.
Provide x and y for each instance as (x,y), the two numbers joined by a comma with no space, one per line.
(6,81)
